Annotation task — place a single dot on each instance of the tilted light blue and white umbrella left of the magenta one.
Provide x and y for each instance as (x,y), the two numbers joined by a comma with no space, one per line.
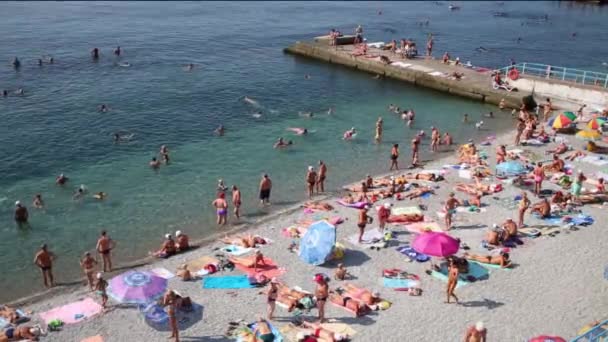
(317,244)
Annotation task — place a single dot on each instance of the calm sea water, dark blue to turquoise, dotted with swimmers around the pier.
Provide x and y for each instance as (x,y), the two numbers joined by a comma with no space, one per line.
(237,49)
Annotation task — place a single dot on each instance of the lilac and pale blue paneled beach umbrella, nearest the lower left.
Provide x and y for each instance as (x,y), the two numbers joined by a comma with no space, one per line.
(136,287)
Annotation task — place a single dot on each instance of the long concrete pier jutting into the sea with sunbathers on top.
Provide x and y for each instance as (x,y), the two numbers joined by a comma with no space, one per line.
(431,73)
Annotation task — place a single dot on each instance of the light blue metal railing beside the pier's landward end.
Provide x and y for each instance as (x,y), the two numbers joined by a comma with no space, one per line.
(560,73)
